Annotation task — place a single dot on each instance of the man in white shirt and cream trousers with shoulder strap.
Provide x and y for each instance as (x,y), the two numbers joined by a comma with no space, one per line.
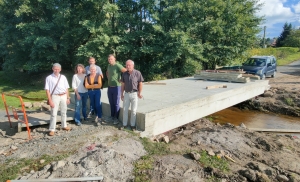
(58,95)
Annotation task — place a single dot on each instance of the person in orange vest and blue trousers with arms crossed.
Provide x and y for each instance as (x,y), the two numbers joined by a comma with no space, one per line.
(93,82)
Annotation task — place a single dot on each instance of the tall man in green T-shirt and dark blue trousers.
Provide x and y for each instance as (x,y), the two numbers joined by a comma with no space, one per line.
(113,74)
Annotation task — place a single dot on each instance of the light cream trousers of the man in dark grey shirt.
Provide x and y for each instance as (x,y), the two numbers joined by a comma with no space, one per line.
(130,99)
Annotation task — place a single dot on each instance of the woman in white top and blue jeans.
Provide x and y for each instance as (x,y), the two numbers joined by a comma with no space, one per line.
(80,93)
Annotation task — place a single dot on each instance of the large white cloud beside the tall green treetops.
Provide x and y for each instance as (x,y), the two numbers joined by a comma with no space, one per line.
(274,12)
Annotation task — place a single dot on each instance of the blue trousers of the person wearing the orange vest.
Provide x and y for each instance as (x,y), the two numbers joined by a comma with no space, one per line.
(96,106)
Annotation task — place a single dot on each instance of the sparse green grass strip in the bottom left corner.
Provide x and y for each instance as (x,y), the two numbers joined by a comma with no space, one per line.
(12,168)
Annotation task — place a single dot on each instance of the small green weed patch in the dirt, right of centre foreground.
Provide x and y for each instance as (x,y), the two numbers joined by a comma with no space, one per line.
(213,162)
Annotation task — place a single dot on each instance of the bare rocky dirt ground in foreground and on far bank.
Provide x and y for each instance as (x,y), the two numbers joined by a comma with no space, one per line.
(199,151)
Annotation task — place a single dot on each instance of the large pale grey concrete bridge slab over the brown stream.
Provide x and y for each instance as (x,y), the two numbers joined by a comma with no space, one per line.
(183,100)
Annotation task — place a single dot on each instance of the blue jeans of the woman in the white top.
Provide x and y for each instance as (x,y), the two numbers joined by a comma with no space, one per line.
(80,105)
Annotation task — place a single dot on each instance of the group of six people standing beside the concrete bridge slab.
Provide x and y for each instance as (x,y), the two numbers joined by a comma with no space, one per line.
(123,83)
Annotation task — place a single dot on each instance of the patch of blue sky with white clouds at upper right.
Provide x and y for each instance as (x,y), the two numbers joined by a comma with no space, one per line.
(276,13)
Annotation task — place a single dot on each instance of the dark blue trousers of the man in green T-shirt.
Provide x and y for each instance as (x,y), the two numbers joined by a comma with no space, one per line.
(114,94)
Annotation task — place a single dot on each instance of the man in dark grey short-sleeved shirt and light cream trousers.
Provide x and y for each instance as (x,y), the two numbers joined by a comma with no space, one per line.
(132,85)
